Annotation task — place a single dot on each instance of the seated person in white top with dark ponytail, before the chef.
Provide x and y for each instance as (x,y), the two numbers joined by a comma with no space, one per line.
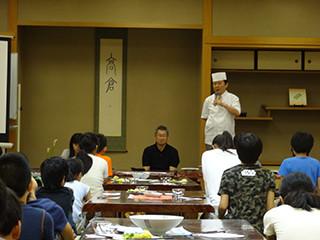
(215,162)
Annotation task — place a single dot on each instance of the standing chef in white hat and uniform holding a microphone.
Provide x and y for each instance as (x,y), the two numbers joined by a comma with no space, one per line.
(219,109)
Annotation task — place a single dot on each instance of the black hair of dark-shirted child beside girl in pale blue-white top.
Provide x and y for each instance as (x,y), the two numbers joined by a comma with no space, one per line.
(53,171)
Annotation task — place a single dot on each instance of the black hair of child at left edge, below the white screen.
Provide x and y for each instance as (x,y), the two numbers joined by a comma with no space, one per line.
(15,172)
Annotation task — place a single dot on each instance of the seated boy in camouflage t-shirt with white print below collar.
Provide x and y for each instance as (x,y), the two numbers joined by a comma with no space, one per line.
(247,190)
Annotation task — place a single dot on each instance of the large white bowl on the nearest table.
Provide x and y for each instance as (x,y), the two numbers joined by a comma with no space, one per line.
(156,224)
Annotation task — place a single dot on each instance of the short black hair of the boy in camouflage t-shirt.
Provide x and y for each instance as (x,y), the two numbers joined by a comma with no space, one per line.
(249,148)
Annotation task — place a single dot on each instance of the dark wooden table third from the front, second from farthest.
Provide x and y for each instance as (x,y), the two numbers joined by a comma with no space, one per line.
(151,184)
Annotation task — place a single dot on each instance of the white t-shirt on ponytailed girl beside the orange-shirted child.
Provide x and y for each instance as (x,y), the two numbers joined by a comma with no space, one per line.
(95,176)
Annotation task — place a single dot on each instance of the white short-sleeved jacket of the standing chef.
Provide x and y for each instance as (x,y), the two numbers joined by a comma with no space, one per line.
(218,118)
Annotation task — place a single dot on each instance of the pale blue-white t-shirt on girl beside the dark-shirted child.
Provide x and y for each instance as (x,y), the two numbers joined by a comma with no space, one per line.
(80,190)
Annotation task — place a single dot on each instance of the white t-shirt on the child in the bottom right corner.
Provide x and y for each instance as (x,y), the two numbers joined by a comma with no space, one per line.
(289,223)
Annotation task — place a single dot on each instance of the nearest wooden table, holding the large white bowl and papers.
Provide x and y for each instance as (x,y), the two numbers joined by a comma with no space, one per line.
(241,227)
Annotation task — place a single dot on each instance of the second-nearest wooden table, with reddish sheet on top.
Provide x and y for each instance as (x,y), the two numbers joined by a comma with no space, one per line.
(189,209)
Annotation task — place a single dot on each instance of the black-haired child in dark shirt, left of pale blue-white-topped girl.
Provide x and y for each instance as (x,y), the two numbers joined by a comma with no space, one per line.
(54,171)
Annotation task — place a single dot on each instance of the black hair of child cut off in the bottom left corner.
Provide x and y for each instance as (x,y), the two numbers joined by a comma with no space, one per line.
(11,210)
